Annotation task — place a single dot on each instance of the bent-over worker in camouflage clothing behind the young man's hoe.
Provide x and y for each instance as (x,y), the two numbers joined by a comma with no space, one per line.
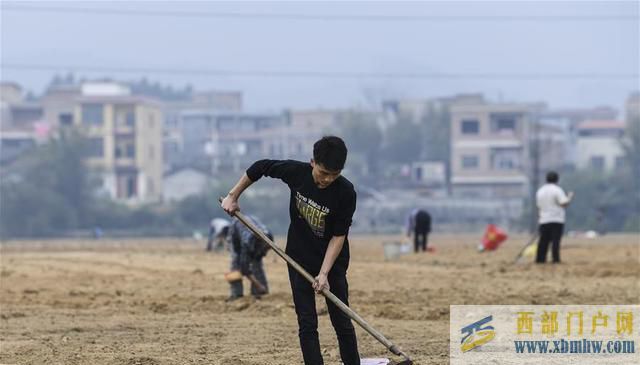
(247,251)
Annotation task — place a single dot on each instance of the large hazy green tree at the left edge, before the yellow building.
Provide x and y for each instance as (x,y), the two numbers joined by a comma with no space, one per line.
(49,191)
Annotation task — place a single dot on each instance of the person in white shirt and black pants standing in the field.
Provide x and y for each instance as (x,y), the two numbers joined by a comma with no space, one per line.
(551,201)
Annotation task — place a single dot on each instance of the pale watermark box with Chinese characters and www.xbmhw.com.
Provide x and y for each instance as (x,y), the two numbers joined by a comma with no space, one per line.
(545,334)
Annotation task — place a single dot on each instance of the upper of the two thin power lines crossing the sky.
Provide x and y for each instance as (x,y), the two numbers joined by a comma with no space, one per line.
(317,17)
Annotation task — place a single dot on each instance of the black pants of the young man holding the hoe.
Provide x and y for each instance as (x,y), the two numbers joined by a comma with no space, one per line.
(305,303)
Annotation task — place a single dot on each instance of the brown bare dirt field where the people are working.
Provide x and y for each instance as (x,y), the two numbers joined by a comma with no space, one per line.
(162,302)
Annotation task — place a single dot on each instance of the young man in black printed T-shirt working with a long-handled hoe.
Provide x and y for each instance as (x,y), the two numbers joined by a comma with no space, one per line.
(321,208)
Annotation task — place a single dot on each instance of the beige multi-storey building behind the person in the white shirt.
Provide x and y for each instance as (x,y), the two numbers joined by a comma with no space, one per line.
(490,149)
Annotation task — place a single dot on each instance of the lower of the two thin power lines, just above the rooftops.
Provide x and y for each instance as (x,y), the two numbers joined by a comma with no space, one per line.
(322,74)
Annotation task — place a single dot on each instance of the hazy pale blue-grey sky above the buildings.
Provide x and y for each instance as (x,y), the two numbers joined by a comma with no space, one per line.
(566,61)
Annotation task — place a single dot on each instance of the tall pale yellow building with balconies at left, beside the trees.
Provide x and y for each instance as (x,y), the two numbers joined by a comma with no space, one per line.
(125,137)
